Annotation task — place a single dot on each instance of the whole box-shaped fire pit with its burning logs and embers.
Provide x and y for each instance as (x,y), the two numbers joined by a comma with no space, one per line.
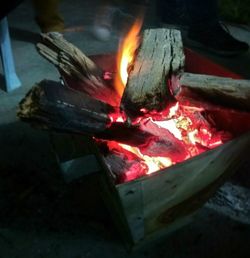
(167,147)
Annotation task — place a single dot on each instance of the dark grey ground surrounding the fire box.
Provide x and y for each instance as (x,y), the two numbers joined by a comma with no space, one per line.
(43,216)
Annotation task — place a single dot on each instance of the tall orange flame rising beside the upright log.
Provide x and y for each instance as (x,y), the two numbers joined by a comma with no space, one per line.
(126,55)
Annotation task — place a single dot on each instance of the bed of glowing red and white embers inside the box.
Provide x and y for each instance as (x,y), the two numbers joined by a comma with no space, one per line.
(182,133)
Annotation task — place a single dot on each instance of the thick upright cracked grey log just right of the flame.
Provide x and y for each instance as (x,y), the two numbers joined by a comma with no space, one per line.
(160,55)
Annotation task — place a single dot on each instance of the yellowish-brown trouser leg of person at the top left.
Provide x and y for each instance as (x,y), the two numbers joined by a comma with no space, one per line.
(48,17)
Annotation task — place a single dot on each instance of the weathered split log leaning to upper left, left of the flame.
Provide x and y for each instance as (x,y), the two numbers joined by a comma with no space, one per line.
(78,71)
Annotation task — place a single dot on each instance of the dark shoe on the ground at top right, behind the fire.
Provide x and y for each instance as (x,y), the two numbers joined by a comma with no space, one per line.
(215,39)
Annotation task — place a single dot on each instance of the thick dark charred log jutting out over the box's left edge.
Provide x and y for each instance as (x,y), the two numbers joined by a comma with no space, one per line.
(51,105)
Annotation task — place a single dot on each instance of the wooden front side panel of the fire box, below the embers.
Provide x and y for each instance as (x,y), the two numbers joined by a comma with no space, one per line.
(176,192)
